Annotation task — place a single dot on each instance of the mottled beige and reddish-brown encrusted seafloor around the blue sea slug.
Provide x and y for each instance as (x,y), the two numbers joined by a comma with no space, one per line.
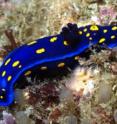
(86,95)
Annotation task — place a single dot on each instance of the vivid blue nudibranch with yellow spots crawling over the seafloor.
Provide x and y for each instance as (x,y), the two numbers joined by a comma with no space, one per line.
(51,53)
